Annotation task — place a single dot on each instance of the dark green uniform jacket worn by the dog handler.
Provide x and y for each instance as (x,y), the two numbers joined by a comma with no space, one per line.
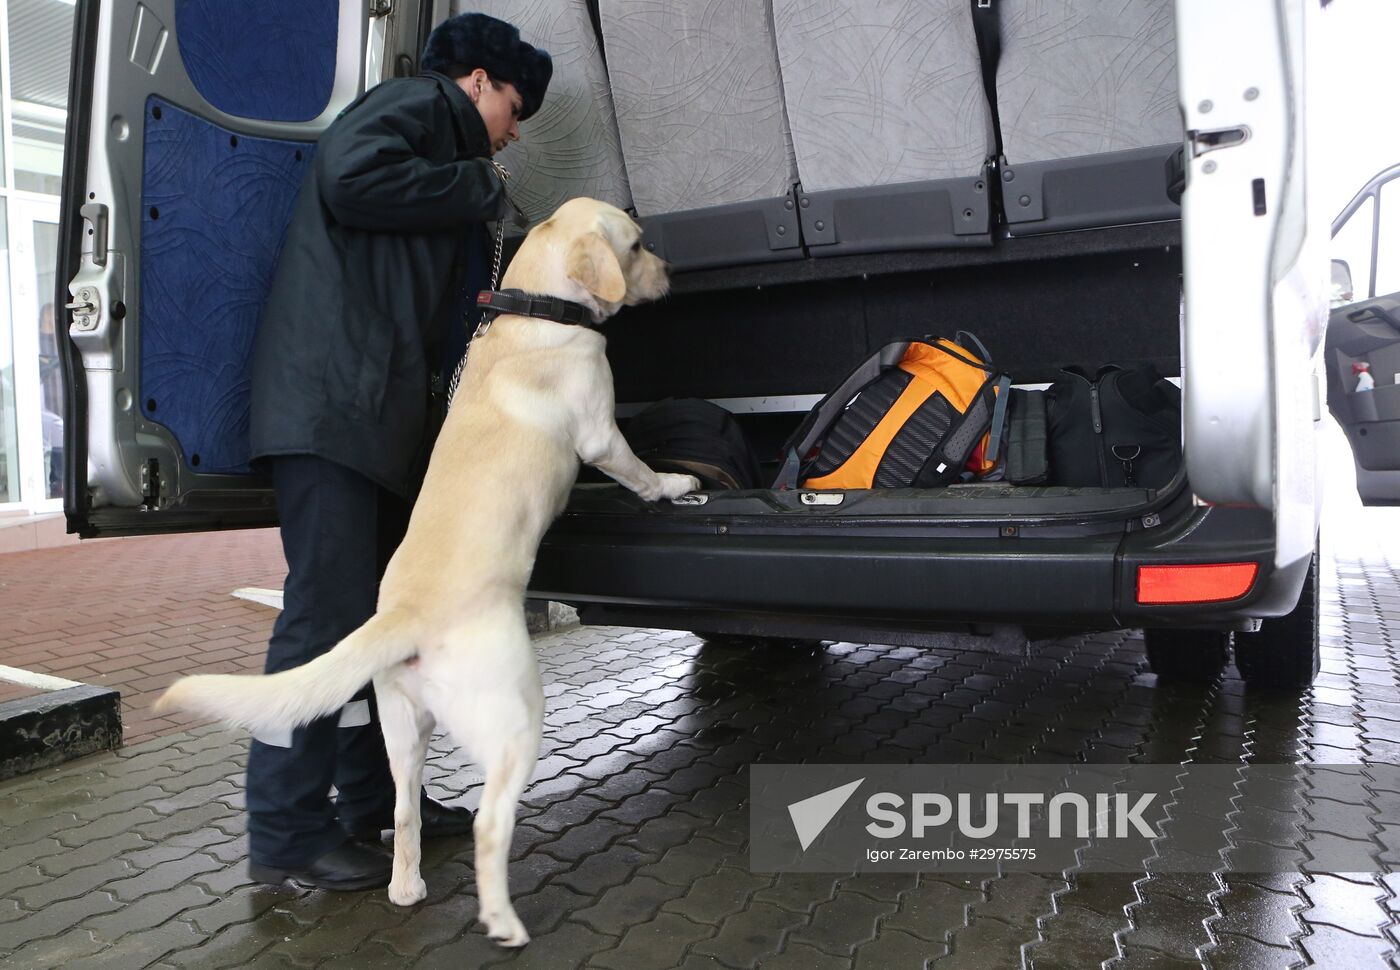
(370,281)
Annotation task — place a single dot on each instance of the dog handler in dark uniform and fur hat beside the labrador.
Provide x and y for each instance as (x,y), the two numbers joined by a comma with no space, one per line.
(362,323)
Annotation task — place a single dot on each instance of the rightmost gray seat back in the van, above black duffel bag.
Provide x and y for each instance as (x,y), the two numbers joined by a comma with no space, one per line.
(1088,113)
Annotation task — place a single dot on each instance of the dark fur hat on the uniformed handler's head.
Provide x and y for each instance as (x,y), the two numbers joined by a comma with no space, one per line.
(460,45)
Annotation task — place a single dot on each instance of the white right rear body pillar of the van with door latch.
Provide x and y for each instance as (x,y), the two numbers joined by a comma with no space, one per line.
(1255,264)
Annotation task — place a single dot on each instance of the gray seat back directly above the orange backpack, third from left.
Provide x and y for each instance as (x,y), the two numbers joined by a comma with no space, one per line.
(890,122)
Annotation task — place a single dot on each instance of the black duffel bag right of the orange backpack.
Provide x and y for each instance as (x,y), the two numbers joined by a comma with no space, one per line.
(1121,428)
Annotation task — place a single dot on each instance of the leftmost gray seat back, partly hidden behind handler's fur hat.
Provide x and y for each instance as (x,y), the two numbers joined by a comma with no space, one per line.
(570,146)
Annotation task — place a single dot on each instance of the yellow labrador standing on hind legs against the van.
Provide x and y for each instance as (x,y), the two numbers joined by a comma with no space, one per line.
(449,645)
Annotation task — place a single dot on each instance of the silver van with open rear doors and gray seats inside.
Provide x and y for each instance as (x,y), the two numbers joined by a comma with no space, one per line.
(1070,181)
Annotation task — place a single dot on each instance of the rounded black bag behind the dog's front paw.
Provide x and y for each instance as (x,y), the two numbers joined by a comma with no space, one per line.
(695,437)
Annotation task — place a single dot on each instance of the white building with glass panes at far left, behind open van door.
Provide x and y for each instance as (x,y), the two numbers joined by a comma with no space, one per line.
(36,40)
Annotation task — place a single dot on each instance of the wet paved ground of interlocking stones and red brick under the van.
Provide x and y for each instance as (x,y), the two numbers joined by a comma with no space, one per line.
(632,846)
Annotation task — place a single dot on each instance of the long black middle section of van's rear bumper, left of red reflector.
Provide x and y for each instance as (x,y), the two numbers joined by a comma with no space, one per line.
(950,580)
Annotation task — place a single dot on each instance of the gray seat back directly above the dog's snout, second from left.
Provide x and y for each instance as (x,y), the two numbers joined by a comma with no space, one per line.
(701,115)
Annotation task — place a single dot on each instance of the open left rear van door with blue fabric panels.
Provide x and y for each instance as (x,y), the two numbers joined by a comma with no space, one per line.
(192,124)
